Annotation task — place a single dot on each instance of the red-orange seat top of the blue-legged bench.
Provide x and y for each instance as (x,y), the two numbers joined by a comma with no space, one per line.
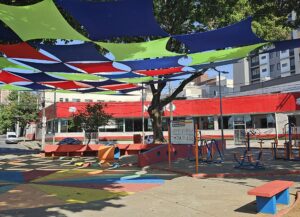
(270,189)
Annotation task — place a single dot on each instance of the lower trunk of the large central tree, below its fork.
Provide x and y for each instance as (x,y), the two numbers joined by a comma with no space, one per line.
(156,119)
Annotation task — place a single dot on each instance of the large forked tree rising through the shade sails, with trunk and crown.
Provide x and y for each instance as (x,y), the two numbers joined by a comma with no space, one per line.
(186,16)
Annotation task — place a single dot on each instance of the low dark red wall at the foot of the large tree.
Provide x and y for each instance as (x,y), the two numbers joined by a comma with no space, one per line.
(160,154)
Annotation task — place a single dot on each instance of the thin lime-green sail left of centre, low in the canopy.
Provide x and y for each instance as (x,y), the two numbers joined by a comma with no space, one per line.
(77,76)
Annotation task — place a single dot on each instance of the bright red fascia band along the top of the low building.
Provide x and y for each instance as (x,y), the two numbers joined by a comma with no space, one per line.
(267,103)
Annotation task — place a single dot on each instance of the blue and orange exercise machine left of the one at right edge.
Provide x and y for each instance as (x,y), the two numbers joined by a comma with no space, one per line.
(246,161)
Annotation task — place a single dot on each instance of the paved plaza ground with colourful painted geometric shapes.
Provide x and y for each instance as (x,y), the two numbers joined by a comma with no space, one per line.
(34,186)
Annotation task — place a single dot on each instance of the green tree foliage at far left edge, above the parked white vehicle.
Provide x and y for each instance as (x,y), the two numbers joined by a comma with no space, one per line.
(25,111)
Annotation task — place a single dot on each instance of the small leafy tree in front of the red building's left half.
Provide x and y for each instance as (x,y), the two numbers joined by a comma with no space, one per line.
(91,118)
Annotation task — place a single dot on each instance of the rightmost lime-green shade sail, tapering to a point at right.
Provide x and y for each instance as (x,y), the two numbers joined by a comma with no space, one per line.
(219,55)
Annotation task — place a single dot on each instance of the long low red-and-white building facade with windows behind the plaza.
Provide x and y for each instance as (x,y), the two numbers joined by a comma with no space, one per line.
(268,114)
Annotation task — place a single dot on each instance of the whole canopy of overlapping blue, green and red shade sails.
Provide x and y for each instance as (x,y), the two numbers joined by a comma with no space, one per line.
(80,66)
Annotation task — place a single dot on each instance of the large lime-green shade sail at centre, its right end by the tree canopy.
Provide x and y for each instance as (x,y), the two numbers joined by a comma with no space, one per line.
(141,50)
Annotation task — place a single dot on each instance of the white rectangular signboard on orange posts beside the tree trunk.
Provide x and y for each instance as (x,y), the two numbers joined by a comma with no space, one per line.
(182,132)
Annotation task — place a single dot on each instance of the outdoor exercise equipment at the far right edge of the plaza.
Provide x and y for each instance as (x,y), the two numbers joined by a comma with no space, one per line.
(290,150)
